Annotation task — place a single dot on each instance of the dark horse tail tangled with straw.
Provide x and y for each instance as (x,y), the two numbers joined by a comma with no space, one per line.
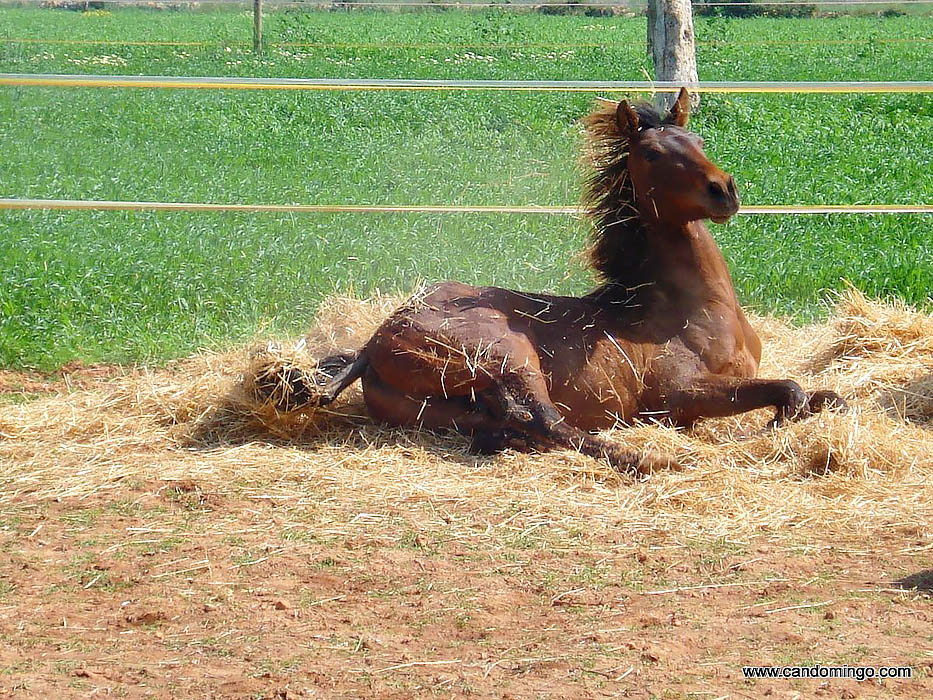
(289,387)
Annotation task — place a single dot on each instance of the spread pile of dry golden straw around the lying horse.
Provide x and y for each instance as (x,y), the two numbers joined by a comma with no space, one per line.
(848,474)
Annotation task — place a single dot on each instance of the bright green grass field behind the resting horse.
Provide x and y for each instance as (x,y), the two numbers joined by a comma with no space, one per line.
(149,287)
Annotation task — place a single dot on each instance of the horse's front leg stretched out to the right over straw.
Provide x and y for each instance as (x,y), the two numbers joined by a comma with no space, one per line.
(715,396)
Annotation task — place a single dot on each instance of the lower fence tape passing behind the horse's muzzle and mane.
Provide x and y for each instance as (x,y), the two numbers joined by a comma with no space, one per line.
(101,205)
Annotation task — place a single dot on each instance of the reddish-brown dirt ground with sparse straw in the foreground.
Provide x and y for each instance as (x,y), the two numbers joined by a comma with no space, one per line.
(165,590)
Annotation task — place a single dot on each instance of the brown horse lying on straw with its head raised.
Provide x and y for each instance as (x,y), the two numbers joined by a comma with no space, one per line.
(662,337)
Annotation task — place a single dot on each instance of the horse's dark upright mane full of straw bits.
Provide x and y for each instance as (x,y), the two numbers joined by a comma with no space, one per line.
(619,247)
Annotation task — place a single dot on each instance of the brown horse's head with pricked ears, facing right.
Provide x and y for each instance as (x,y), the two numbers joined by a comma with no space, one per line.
(673,179)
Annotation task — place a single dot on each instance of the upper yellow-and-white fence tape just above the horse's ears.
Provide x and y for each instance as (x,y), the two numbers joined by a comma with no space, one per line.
(339,84)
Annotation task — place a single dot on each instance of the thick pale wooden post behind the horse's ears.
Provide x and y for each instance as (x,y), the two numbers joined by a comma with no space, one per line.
(672,45)
